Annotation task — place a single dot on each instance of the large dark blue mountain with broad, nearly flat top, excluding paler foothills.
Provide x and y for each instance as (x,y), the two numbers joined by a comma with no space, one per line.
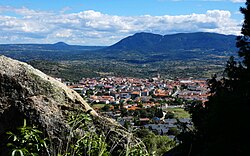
(148,42)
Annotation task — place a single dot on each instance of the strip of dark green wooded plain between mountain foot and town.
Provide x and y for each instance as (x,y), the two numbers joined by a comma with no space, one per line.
(75,70)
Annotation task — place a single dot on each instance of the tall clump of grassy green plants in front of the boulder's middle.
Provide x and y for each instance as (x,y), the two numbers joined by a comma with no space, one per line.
(83,140)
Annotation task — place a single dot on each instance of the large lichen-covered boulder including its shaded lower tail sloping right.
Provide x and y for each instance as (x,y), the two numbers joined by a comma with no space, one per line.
(28,93)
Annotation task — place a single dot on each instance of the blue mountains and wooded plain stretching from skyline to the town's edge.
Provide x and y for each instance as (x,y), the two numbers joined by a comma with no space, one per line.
(140,55)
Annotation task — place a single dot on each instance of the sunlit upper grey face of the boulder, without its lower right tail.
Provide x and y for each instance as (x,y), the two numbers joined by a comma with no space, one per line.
(38,97)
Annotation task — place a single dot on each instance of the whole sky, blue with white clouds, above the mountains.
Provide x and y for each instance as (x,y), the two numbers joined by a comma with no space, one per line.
(105,22)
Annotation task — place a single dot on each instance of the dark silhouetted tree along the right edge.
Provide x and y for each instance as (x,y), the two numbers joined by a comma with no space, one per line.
(221,124)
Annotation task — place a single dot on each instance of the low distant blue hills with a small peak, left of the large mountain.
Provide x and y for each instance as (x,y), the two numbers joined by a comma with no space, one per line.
(57,51)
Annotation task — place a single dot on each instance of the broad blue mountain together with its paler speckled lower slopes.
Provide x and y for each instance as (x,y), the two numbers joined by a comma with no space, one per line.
(148,47)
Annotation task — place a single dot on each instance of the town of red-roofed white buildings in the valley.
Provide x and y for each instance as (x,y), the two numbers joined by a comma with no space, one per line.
(155,103)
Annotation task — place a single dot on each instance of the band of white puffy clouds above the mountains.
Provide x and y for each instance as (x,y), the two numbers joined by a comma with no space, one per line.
(23,25)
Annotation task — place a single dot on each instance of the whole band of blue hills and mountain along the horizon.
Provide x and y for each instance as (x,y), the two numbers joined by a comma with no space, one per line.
(138,48)
